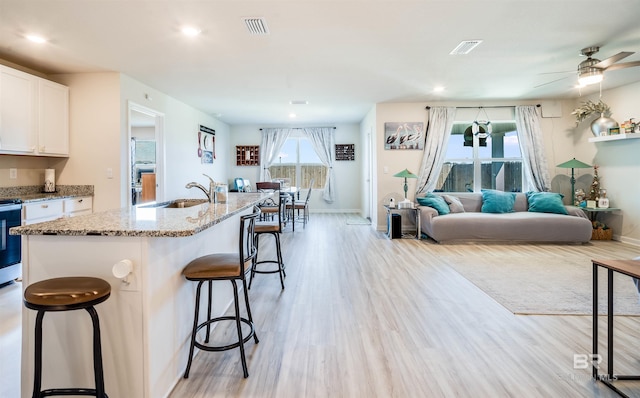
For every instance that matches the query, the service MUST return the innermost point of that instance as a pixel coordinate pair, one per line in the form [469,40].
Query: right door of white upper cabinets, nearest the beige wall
[53,120]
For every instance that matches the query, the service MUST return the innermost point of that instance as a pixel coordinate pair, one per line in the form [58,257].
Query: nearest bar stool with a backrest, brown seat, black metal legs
[231,267]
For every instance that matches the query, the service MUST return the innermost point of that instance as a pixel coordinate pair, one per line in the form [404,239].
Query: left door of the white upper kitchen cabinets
[18,91]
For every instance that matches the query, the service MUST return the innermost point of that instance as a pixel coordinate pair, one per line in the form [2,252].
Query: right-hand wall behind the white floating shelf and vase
[619,162]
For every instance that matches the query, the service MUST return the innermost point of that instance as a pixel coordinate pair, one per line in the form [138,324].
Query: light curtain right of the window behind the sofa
[532,147]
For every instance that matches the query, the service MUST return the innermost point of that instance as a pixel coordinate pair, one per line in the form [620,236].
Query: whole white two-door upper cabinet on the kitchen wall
[34,115]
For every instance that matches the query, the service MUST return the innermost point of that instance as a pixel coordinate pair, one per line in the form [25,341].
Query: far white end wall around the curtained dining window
[348,173]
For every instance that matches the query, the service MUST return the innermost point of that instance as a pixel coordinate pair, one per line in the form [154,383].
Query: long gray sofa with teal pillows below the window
[520,225]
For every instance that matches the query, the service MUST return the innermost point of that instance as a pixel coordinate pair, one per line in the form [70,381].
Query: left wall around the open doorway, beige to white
[99,138]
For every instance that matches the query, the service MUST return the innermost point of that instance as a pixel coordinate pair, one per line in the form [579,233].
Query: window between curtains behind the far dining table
[298,164]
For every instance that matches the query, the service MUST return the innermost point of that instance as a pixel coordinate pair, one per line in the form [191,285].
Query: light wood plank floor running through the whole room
[362,315]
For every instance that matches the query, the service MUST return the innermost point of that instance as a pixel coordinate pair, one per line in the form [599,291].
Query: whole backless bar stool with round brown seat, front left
[68,294]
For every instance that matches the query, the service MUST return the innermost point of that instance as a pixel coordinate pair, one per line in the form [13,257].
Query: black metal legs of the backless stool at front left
[97,363]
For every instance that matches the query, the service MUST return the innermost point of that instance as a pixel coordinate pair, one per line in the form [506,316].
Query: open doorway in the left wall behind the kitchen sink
[146,160]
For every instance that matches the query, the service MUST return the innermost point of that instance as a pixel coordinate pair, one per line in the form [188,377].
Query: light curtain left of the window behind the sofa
[438,132]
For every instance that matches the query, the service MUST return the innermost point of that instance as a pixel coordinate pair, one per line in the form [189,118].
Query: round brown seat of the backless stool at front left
[64,294]
